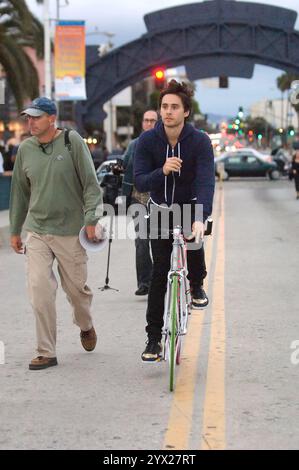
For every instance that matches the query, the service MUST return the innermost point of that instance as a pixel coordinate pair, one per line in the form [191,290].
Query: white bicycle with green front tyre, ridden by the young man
[177,302]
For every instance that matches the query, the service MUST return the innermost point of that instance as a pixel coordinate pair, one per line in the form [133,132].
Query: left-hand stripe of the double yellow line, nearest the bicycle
[181,412]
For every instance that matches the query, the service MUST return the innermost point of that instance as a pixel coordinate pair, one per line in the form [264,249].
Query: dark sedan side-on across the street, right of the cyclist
[246,162]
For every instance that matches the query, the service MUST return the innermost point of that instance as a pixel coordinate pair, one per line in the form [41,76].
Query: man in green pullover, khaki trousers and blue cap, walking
[54,193]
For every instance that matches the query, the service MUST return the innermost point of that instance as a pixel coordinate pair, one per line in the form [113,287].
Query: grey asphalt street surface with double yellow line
[236,387]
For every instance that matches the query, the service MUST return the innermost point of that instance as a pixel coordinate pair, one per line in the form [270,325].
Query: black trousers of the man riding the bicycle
[161,251]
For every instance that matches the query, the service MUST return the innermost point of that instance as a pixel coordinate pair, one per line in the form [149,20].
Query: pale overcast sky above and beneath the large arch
[125,19]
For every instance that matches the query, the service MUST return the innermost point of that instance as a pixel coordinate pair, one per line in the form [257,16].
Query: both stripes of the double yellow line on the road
[180,422]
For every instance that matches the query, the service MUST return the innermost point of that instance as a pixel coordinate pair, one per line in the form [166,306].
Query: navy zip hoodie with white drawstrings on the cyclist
[196,180]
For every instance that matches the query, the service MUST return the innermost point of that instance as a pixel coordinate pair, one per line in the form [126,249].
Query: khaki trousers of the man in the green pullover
[41,251]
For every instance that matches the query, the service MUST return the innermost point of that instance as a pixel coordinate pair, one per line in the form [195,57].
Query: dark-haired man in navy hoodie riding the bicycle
[175,162]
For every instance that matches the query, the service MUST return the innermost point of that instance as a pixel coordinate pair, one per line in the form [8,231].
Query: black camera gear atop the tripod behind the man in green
[110,176]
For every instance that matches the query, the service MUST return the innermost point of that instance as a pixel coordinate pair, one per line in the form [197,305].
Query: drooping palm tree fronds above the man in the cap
[19,29]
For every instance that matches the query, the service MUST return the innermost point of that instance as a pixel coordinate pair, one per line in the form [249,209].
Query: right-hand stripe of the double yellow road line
[213,428]
